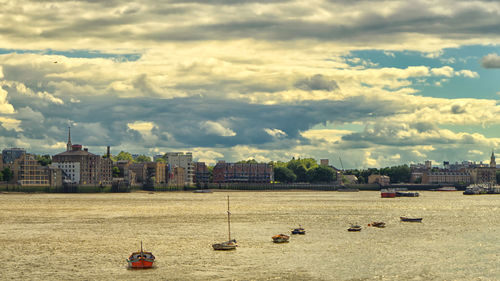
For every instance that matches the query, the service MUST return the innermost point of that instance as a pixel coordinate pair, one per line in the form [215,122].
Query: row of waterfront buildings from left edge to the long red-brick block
[78,166]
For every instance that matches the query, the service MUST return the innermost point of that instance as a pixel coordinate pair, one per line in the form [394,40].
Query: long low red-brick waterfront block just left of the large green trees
[242,173]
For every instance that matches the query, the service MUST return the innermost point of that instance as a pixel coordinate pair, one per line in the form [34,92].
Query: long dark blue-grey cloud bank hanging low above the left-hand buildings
[102,121]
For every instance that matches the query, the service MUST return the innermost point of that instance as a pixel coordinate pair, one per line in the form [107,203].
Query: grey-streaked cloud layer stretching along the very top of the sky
[231,19]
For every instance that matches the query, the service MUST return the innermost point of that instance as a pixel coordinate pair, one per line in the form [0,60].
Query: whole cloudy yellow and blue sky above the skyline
[374,83]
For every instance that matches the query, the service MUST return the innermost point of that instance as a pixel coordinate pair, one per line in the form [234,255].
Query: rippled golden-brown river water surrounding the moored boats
[89,236]
